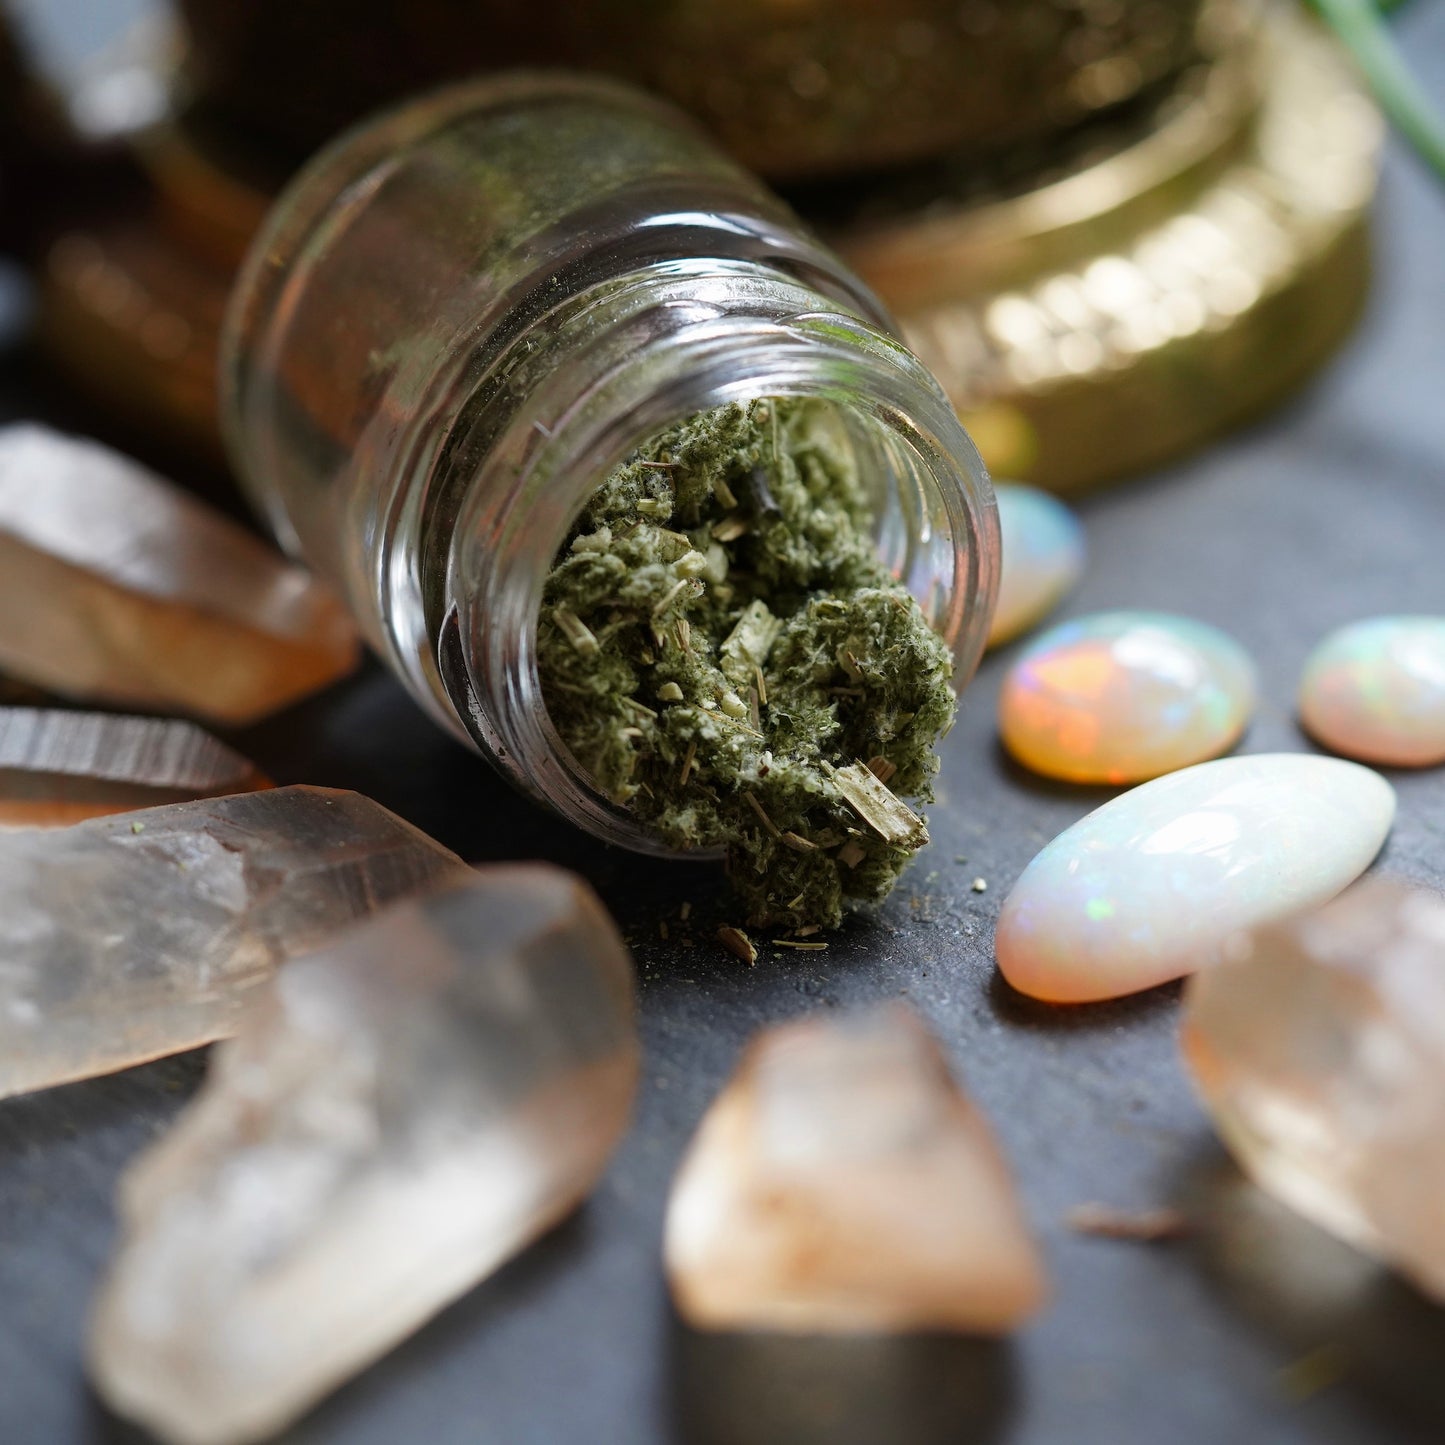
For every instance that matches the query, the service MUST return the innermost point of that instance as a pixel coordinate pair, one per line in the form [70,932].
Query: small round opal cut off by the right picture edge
[1376,691]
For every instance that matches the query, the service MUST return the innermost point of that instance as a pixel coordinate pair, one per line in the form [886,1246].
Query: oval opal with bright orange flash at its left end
[1125,697]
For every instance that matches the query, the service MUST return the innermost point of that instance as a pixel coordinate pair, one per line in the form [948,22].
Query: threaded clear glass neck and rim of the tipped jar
[658,348]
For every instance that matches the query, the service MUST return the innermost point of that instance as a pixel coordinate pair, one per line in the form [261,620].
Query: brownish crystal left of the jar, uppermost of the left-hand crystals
[116,586]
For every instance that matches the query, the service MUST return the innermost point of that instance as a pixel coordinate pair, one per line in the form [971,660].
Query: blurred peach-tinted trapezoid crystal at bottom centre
[842,1183]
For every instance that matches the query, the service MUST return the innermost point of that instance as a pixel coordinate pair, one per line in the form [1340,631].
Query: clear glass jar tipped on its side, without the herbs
[463,316]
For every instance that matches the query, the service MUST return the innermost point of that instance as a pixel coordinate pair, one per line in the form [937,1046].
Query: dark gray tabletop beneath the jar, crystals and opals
[1259,1330]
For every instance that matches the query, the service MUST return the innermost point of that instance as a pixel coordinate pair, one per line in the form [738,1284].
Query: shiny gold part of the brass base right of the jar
[1148,301]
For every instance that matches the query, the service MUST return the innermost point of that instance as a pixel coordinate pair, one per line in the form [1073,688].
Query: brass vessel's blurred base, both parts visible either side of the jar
[1095,306]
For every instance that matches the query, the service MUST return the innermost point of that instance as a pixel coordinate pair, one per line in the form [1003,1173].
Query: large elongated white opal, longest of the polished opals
[1158,882]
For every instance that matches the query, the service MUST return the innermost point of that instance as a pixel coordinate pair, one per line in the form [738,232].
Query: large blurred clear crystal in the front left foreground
[400,1115]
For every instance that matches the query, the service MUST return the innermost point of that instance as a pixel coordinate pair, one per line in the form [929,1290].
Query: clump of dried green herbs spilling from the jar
[726,655]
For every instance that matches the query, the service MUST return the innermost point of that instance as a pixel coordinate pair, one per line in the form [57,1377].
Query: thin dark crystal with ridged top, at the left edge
[60,768]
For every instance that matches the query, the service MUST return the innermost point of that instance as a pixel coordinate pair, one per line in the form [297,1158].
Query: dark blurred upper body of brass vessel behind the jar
[793,87]
